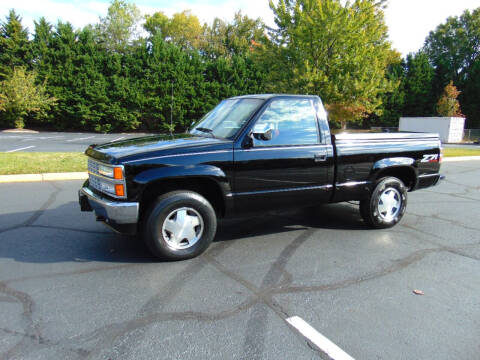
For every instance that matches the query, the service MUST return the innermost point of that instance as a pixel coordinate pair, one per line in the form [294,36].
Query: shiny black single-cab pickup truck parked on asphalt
[251,154]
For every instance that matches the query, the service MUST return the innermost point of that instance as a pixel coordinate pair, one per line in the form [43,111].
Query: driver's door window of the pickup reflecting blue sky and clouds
[291,122]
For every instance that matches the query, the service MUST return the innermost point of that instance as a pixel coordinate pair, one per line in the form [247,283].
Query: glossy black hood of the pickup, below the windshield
[156,145]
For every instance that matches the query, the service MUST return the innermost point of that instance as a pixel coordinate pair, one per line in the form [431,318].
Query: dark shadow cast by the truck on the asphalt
[65,234]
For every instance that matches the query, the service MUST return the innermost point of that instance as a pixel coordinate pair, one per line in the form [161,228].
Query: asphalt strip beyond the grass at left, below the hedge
[56,141]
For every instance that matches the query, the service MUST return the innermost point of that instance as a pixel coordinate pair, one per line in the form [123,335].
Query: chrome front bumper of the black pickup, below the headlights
[116,211]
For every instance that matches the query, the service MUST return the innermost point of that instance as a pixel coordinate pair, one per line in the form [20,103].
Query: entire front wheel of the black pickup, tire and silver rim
[179,225]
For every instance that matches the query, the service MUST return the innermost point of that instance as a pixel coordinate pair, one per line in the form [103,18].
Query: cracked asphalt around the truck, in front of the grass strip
[71,289]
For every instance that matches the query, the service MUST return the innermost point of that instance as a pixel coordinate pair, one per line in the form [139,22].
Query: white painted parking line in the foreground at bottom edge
[325,345]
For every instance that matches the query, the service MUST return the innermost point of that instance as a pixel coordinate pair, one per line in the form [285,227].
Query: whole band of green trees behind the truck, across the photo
[116,76]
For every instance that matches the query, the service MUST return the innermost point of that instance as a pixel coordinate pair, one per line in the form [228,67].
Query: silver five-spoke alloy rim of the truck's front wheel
[182,228]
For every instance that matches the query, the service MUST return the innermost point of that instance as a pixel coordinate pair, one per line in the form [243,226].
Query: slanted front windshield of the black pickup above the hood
[227,118]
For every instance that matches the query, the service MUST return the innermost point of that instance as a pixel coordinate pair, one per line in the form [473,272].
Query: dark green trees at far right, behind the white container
[451,53]
